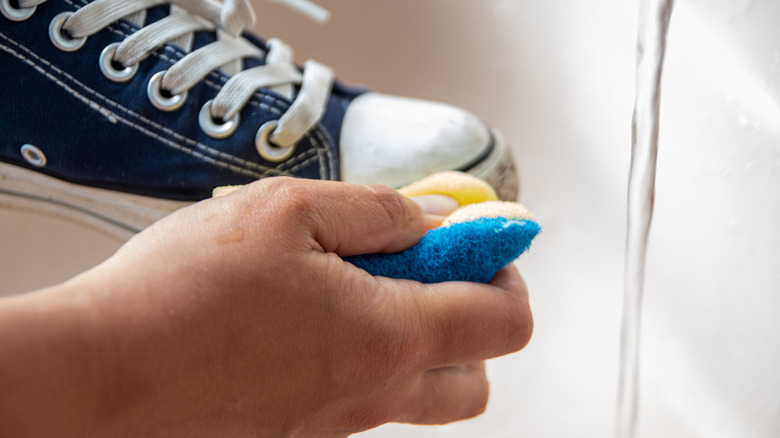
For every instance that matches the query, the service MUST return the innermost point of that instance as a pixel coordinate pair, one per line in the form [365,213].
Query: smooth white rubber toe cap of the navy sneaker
[394,140]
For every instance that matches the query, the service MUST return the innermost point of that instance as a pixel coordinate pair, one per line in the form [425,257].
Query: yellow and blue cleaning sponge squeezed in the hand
[473,243]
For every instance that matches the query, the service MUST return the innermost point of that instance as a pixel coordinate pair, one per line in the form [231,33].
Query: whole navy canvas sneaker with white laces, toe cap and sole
[117,112]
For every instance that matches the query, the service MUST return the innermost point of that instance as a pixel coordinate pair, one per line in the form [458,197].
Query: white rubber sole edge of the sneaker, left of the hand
[118,214]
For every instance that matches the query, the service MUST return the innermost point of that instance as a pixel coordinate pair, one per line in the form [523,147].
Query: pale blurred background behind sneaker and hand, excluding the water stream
[556,77]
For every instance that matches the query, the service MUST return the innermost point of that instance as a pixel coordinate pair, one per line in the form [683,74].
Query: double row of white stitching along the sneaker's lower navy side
[266,171]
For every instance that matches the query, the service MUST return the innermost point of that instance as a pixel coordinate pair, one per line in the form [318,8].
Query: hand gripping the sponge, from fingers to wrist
[238,317]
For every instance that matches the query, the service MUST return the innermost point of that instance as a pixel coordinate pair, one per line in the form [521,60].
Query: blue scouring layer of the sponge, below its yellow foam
[463,251]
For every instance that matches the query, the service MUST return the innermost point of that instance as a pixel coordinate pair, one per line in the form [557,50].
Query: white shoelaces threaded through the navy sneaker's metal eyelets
[228,18]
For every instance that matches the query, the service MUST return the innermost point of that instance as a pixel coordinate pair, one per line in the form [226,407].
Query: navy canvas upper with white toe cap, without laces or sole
[97,132]
